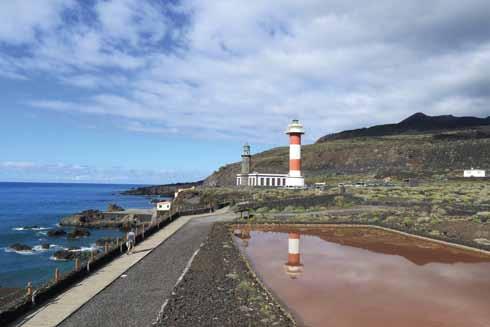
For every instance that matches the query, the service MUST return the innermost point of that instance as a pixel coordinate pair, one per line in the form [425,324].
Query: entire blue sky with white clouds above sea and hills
[134,91]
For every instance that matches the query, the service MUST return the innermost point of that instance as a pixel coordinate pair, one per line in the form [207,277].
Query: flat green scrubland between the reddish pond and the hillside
[455,211]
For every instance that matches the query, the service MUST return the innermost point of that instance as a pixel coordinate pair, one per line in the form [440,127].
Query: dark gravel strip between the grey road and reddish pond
[220,290]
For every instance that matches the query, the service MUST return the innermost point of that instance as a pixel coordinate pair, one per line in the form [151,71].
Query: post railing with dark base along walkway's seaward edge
[17,302]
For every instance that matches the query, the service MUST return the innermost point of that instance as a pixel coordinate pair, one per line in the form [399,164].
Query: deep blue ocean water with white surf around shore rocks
[42,205]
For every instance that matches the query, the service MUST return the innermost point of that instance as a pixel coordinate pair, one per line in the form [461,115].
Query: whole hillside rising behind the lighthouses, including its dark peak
[429,151]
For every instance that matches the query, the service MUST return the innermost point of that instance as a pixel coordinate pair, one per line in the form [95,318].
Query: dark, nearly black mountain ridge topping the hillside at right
[417,123]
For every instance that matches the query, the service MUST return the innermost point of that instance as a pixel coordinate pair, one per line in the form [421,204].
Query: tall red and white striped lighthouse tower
[295,179]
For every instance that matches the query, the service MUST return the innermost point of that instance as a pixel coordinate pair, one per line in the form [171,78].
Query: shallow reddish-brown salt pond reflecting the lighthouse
[367,277]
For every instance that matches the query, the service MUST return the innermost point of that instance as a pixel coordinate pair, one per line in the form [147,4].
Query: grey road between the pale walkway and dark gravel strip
[136,299]
